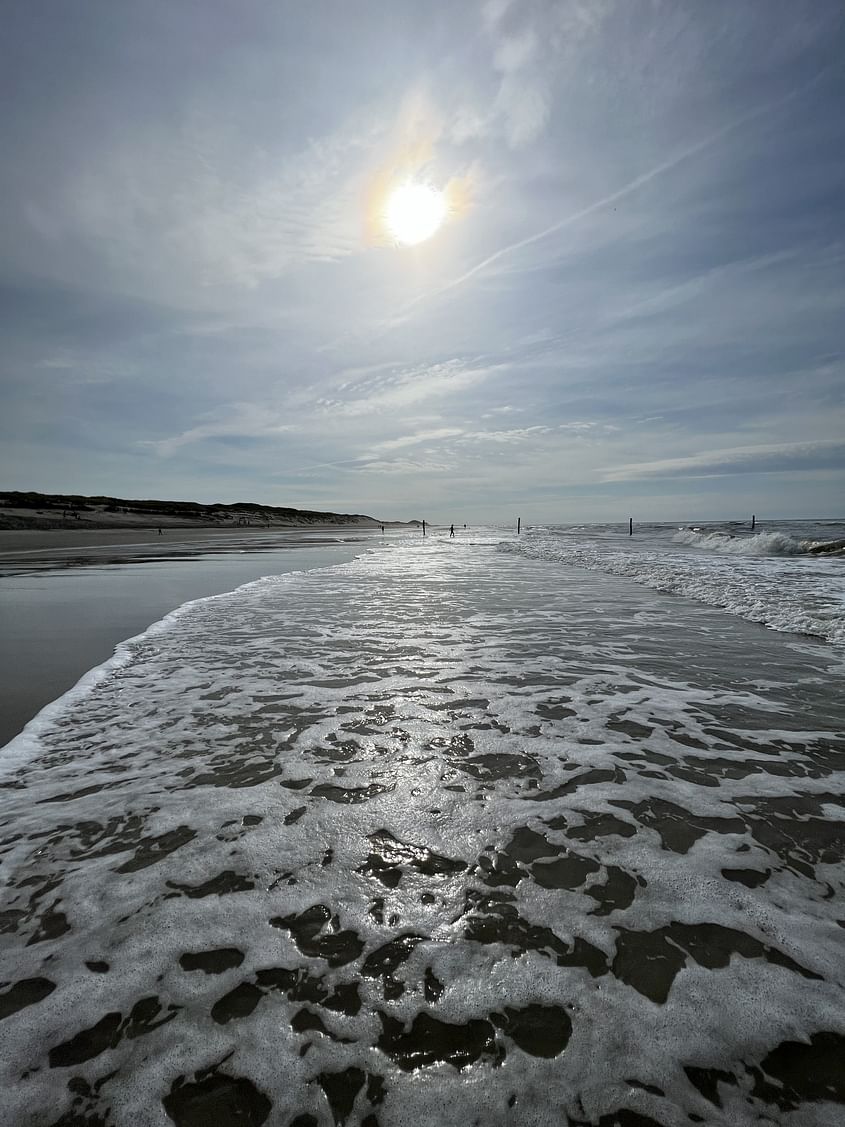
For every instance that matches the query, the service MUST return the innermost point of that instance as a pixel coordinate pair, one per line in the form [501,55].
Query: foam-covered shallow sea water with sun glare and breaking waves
[487,831]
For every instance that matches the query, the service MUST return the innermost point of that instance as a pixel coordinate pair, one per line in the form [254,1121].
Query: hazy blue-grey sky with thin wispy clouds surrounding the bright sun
[635,306]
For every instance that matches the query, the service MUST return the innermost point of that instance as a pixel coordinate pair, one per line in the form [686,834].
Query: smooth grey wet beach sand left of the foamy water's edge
[65,609]
